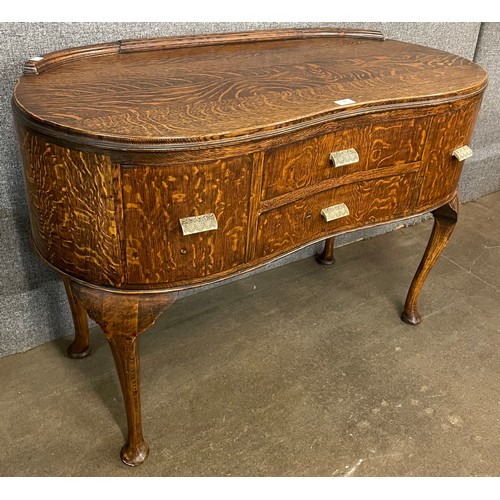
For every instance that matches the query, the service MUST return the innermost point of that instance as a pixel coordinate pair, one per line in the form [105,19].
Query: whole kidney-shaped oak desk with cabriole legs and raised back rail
[279,139]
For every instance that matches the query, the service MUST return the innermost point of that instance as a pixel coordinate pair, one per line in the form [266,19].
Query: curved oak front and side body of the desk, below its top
[125,222]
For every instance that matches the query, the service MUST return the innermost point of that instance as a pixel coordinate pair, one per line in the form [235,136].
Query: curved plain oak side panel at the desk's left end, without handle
[73,211]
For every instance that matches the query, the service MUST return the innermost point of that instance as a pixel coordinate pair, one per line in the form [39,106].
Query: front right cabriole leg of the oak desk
[445,219]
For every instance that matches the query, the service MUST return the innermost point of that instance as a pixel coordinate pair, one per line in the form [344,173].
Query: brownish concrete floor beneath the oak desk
[299,371]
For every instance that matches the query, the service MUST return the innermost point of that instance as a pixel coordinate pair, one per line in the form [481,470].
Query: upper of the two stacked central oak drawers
[295,166]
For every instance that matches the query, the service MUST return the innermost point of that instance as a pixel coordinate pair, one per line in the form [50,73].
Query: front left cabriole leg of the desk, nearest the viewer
[123,317]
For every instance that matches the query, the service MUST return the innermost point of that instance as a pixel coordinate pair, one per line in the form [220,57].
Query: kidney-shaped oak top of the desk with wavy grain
[209,92]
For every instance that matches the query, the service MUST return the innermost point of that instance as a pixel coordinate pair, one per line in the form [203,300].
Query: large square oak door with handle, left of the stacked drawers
[159,248]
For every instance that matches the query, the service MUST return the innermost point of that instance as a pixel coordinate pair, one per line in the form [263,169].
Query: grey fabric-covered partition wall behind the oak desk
[33,307]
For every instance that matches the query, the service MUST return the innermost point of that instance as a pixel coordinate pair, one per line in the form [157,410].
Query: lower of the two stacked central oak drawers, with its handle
[301,222]
